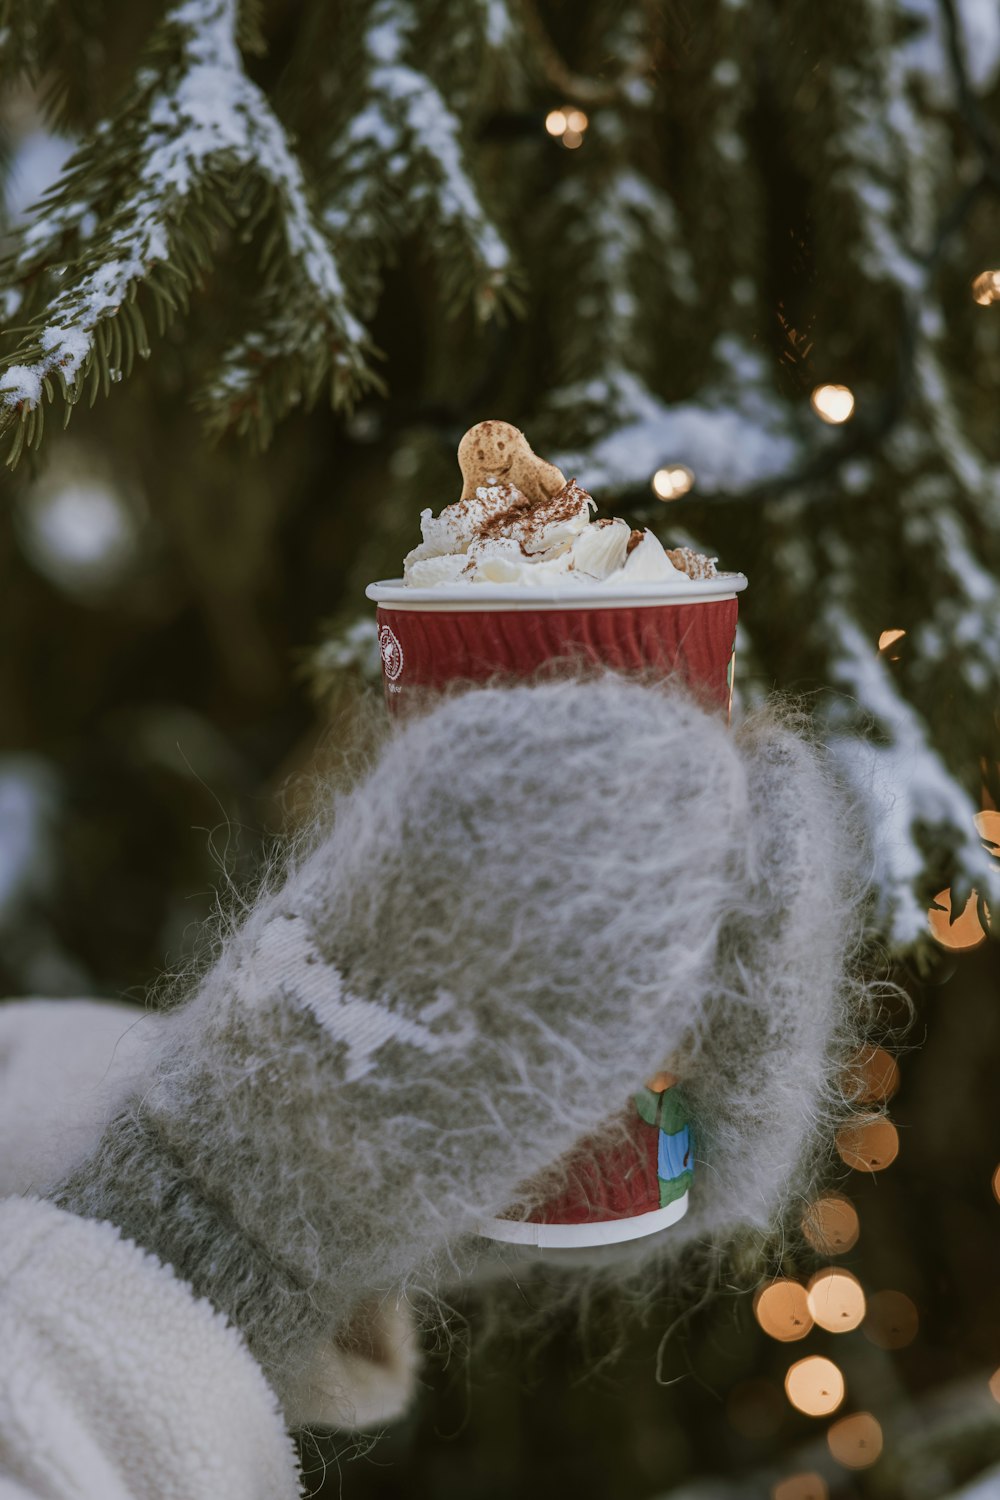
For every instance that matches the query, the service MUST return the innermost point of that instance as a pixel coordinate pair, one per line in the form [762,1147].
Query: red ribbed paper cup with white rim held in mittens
[633,1184]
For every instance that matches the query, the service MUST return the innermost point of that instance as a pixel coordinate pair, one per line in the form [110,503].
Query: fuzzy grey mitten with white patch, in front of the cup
[509,925]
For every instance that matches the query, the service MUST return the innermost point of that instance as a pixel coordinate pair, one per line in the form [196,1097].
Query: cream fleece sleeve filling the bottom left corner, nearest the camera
[116,1384]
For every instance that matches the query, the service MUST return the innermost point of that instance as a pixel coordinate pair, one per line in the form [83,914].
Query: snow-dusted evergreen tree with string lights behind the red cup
[645,233]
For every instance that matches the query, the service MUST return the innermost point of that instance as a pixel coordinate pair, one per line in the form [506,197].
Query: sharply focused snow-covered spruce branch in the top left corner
[143,181]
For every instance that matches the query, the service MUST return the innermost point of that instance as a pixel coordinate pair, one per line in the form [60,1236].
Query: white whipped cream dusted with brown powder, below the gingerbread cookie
[497,536]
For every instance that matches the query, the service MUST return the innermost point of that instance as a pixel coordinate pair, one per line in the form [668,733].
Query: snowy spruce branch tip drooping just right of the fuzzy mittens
[905,785]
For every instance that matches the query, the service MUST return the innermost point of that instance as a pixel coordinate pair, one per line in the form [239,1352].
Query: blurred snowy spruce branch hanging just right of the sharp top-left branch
[401,164]
